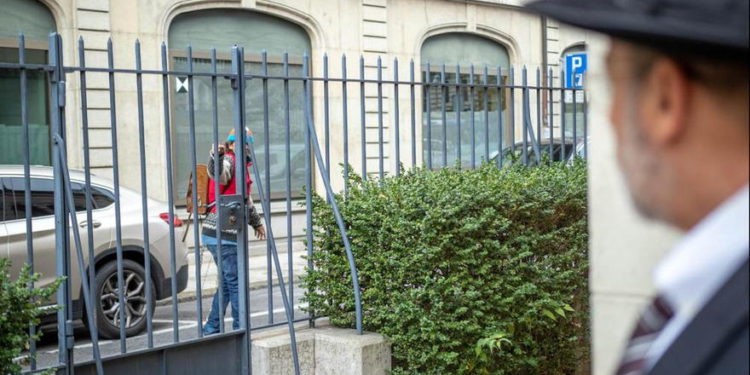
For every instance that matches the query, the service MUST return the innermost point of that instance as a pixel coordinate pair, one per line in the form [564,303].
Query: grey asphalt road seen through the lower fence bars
[163,332]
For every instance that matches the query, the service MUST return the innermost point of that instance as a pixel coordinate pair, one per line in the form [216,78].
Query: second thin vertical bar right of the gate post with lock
[288,152]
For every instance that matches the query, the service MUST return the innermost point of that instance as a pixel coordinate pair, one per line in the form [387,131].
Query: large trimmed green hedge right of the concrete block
[466,272]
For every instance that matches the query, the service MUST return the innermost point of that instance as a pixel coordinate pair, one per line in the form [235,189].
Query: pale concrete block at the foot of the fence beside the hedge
[322,351]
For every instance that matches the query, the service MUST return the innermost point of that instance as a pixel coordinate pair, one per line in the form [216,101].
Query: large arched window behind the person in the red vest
[221,29]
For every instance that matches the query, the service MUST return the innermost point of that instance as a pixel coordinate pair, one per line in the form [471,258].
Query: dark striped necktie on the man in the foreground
[652,321]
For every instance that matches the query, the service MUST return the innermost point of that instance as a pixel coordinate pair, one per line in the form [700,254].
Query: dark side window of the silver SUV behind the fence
[42,196]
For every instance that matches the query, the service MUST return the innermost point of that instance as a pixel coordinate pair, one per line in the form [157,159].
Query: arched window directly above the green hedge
[464,50]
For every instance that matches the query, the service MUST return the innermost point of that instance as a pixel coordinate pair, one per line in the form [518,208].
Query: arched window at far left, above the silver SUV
[35,21]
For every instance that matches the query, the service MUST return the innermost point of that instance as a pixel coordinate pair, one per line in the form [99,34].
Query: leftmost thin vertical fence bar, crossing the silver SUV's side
[27,184]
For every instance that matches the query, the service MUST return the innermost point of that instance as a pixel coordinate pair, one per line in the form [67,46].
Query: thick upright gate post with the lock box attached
[238,88]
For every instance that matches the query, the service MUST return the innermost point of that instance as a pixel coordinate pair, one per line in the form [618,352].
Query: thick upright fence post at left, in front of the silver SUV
[65,341]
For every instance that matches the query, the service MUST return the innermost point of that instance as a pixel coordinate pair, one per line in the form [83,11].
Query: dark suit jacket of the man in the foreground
[716,341]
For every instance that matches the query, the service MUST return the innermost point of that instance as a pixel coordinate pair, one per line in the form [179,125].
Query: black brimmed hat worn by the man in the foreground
[716,28]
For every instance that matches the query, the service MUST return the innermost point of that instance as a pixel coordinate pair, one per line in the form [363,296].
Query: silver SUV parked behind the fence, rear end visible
[13,244]
